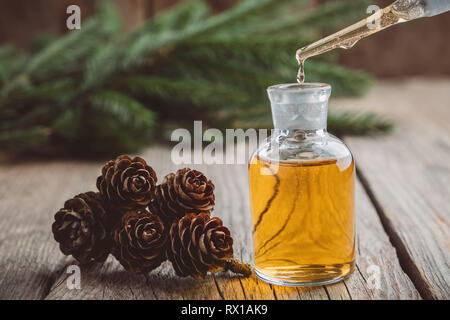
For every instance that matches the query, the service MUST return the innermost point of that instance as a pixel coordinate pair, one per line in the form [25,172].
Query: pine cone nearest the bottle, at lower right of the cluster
[199,244]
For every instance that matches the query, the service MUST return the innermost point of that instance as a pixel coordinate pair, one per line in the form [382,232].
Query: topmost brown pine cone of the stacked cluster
[127,183]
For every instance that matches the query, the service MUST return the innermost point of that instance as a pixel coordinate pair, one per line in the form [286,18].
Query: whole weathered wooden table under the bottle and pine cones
[402,204]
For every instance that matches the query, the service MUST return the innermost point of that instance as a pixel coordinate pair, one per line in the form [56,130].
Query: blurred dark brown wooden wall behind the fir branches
[420,47]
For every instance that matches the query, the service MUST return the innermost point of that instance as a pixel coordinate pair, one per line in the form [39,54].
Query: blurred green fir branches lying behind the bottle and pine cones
[100,91]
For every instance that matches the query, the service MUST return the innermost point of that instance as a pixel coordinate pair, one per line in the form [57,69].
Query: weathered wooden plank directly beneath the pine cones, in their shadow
[110,281]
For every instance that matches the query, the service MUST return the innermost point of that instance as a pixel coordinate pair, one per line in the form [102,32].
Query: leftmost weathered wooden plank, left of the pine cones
[30,194]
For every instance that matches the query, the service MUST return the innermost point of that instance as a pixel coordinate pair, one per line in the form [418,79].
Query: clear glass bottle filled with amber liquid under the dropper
[302,193]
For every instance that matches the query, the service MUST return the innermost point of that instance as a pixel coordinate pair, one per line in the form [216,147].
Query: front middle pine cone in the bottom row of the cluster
[139,241]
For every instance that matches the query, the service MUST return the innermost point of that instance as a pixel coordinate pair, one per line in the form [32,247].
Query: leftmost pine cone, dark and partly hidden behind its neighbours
[81,228]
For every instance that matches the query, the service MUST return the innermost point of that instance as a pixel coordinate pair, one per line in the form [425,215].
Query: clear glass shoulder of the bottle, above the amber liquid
[326,147]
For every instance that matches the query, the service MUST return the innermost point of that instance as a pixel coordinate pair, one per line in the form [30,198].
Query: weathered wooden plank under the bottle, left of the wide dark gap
[374,251]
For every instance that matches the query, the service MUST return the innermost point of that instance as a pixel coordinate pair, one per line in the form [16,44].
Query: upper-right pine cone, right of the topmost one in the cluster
[186,191]
